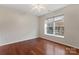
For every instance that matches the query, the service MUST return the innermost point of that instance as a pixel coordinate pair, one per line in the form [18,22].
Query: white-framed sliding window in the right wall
[55,26]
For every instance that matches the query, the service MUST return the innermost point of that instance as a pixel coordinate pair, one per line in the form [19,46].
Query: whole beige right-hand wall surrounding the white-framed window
[71,26]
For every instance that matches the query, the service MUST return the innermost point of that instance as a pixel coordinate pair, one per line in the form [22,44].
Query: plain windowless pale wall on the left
[16,27]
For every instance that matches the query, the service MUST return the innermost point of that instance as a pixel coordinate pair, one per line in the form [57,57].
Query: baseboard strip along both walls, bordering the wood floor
[34,37]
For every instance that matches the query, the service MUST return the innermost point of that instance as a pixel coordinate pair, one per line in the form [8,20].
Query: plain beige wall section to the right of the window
[72,25]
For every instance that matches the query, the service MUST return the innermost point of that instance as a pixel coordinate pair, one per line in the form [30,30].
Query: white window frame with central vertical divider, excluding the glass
[45,30]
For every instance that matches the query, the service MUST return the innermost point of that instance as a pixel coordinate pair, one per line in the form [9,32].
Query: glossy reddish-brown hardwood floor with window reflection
[38,46]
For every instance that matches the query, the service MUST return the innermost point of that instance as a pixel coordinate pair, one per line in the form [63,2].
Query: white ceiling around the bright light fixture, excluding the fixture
[24,8]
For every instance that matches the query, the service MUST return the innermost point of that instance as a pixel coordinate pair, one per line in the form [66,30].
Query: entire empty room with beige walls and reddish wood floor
[39,29]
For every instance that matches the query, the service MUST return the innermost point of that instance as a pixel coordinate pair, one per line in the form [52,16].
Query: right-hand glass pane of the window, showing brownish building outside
[59,27]
